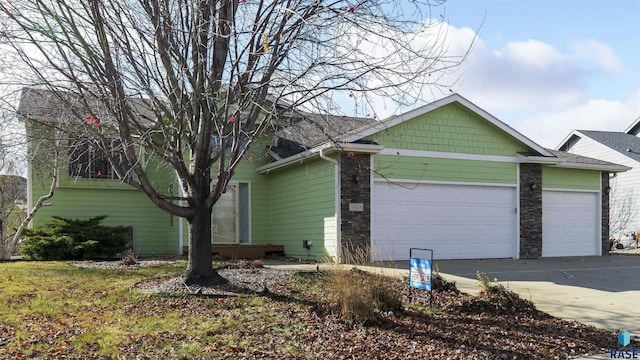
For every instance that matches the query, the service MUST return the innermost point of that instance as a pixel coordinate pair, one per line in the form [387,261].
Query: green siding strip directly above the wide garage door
[437,169]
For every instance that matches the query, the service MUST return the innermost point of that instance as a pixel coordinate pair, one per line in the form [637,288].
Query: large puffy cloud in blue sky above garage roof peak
[528,75]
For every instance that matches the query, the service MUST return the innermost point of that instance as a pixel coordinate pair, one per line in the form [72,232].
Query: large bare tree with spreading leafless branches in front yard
[214,75]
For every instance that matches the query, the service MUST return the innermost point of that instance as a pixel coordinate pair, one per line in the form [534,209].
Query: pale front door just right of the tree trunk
[224,222]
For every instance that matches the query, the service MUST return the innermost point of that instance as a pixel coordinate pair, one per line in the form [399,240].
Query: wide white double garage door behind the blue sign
[457,222]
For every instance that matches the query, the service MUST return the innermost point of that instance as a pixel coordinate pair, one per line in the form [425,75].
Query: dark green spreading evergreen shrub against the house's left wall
[67,239]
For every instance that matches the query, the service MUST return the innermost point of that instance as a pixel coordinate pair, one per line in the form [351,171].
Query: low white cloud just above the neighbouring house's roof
[550,128]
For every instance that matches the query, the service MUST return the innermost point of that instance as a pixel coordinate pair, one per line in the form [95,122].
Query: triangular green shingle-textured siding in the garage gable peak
[451,128]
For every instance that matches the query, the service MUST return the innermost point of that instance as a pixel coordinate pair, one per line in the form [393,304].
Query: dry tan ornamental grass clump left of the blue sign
[360,297]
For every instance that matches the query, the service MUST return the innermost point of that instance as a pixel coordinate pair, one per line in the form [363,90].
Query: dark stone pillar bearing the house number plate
[355,187]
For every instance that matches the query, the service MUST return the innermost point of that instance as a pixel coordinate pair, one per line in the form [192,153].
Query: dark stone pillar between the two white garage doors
[530,211]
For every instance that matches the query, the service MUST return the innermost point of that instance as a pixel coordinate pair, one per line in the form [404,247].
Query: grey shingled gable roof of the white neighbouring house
[624,143]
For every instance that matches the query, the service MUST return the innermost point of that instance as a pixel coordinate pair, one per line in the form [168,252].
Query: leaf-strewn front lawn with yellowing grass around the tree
[55,310]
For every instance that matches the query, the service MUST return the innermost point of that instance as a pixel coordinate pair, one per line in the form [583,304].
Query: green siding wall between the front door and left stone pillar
[302,207]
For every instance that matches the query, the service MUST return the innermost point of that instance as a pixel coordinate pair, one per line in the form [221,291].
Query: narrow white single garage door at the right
[570,224]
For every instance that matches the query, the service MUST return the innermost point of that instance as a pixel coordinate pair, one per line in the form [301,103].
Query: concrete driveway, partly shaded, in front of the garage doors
[603,291]
